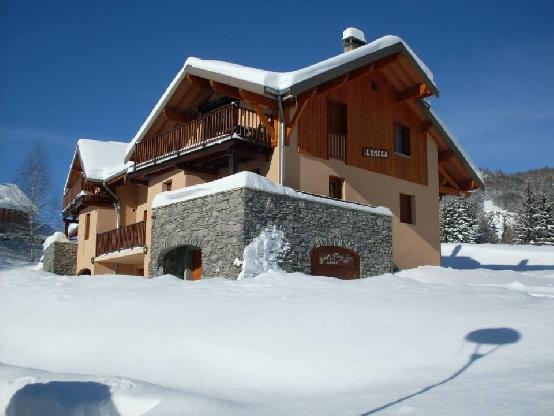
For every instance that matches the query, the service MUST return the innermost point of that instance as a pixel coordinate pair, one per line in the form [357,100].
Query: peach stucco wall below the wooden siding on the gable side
[413,244]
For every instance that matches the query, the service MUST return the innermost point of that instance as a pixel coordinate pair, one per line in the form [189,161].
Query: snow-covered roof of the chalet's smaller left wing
[101,160]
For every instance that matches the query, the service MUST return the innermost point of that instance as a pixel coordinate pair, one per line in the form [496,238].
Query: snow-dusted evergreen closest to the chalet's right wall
[458,221]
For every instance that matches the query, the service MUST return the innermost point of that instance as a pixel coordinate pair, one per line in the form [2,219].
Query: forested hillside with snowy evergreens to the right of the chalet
[513,208]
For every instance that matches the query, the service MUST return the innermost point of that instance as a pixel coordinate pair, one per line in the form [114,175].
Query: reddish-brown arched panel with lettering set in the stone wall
[335,262]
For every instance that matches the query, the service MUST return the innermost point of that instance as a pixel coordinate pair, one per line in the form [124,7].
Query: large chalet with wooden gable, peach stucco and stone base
[337,139]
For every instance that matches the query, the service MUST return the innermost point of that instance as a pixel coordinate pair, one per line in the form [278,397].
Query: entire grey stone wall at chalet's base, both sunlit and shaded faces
[222,224]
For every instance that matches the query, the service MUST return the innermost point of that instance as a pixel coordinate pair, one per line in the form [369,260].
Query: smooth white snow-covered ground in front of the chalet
[427,341]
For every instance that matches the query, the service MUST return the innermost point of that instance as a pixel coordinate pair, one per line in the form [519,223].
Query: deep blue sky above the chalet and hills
[95,69]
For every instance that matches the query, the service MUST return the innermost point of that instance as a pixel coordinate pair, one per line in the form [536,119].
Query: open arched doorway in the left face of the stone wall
[185,262]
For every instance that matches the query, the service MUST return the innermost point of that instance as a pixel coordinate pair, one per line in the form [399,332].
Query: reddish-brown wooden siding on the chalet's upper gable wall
[371,119]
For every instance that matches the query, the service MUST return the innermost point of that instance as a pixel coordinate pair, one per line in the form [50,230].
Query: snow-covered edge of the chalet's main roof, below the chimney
[293,82]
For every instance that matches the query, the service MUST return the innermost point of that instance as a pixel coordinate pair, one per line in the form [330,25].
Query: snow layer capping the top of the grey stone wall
[253,181]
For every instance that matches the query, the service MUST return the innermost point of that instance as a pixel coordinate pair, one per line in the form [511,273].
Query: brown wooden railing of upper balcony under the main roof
[225,121]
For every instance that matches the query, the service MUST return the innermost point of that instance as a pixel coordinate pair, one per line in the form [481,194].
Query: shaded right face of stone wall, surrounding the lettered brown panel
[310,224]
